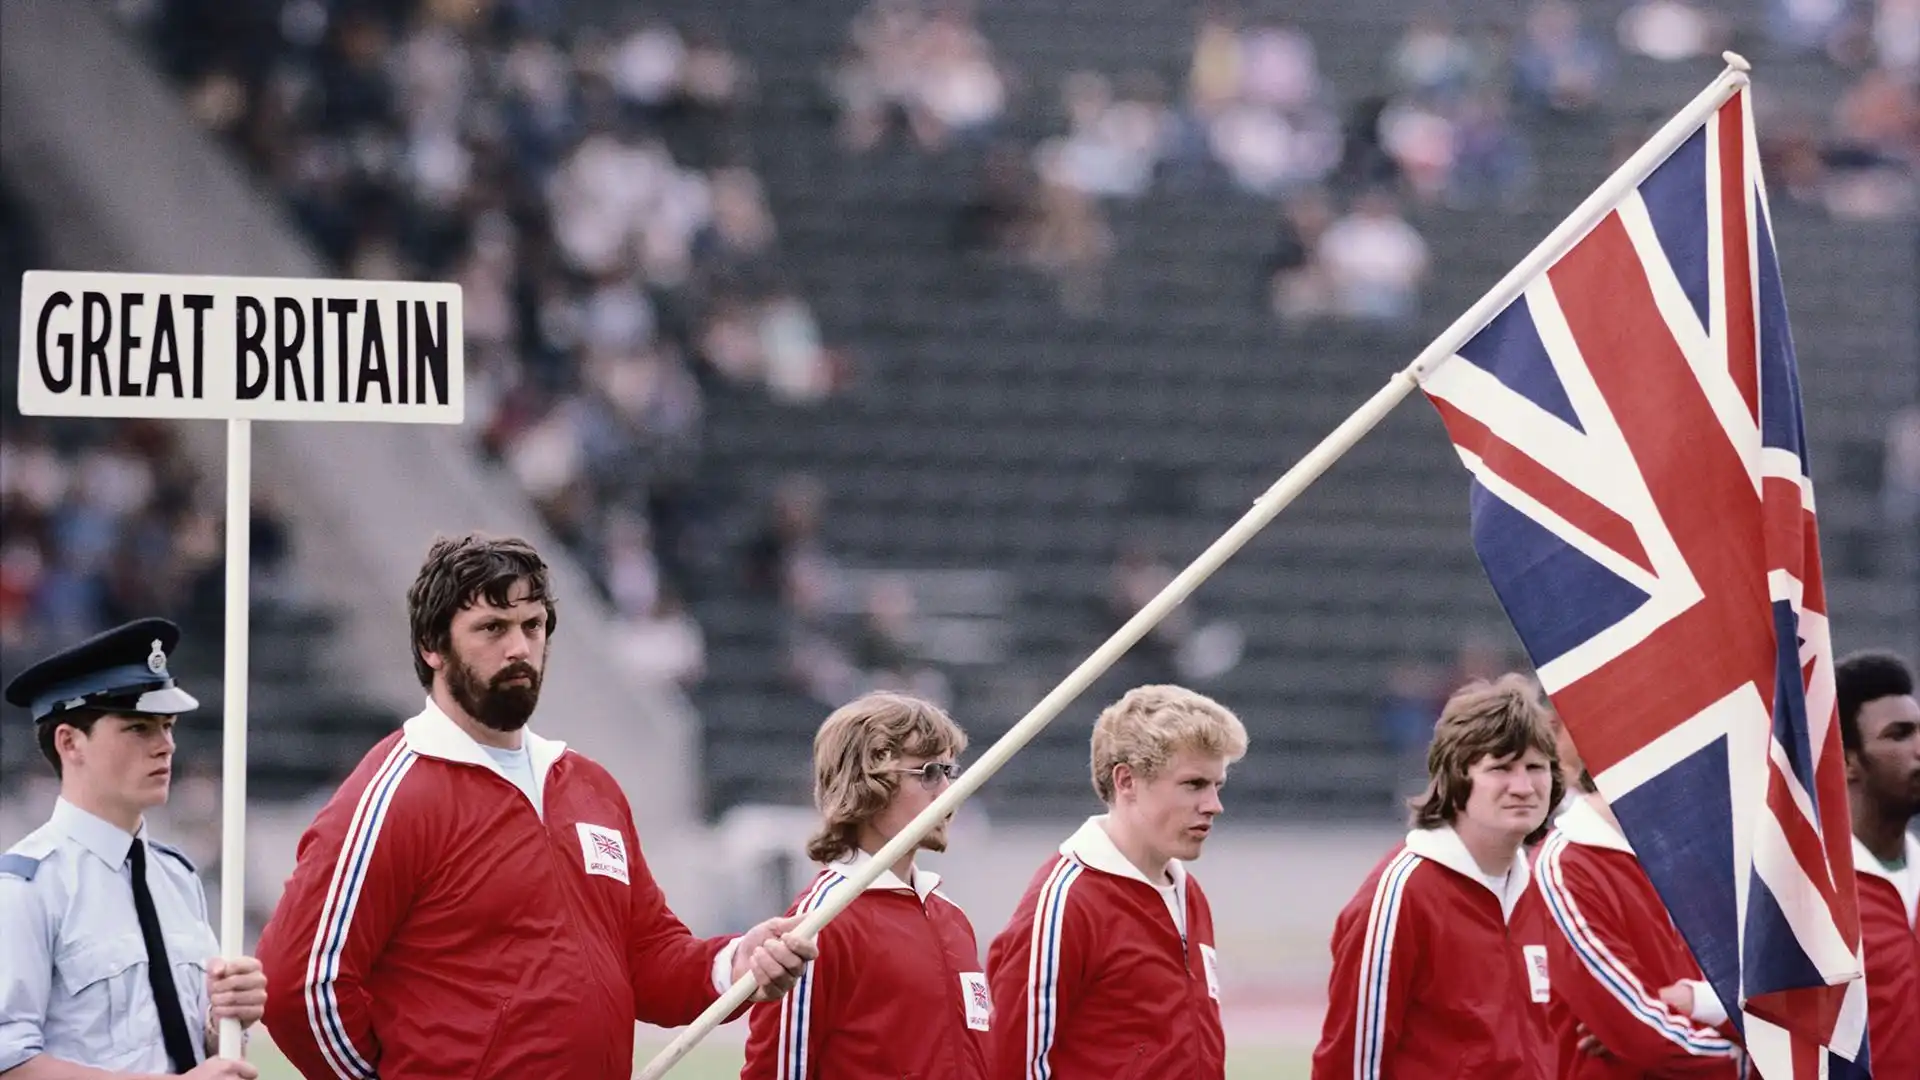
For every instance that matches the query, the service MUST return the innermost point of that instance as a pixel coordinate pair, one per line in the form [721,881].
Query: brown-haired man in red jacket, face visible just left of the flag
[1441,960]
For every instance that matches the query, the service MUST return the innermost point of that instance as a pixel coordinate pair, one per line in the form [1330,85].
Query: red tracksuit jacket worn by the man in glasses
[898,991]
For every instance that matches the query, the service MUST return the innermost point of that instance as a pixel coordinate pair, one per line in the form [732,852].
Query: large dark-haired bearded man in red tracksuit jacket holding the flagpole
[473,900]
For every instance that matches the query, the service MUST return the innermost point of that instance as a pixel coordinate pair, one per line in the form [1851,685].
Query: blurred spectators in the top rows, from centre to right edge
[1443,124]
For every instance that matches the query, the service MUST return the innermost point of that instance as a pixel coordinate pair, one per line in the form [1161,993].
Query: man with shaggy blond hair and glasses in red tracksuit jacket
[898,987]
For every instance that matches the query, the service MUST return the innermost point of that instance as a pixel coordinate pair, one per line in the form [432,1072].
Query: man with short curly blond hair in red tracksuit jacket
[1107,970]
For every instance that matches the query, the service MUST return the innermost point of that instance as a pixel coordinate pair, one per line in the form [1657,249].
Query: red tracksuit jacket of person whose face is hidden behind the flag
[1612,956]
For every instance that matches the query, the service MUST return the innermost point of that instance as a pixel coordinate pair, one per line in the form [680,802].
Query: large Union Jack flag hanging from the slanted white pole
[1643,506]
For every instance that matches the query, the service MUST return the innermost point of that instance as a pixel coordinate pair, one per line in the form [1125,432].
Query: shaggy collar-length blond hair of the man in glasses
[853,752]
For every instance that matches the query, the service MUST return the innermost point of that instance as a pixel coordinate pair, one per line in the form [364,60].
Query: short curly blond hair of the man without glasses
[1151,725]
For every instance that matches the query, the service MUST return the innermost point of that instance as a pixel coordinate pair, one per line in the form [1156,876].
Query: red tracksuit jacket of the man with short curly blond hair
[1095,981]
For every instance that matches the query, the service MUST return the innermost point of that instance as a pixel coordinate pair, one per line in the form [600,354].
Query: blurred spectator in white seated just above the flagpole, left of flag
[1376,260]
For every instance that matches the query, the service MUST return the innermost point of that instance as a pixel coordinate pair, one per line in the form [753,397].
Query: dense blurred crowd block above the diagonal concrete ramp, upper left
[590,191]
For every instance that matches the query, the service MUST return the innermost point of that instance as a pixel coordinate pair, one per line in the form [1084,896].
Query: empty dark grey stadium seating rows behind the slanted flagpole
[992,431]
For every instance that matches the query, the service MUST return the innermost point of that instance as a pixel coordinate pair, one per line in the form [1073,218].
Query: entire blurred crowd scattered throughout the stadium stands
[596,197]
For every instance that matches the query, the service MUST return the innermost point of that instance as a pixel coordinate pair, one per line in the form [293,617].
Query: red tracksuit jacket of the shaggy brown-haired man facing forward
[1435,975]
